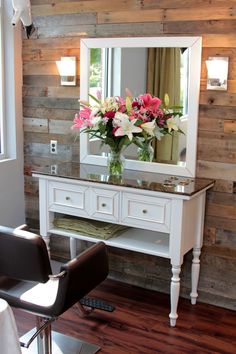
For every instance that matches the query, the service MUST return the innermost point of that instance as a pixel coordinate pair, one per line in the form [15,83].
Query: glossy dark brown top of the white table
[130,178]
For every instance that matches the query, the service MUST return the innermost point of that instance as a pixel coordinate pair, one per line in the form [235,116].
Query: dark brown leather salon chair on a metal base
[27,283]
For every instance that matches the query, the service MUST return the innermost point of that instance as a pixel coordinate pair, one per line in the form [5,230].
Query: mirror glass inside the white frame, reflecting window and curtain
[154,70]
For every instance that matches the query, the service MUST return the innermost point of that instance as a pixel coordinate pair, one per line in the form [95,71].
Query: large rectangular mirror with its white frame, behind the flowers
[155,65]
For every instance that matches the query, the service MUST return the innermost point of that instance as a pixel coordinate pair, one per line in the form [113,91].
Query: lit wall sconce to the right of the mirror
[217,73]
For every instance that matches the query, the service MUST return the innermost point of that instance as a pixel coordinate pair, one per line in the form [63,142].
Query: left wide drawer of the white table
[68,198]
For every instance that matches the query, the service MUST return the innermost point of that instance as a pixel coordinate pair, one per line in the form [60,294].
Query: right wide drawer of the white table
[147,212]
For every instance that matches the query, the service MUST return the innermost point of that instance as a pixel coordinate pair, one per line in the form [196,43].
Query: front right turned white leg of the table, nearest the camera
[174,294]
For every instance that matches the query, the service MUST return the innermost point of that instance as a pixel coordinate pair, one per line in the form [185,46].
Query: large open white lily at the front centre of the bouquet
[126,126]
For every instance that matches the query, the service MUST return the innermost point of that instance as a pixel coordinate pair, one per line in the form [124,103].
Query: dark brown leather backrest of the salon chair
[23,255]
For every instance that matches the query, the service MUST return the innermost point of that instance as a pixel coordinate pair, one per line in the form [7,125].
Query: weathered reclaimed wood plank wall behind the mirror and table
[49,109]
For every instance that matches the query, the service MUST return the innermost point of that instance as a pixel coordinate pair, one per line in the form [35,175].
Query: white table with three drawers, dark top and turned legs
[165,214]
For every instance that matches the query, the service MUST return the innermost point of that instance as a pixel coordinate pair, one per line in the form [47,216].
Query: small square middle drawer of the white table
[104,204]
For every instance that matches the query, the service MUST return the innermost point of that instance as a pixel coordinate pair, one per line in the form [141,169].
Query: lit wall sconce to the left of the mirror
[67,70]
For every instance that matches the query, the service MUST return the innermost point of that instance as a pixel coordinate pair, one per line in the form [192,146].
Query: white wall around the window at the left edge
[12,206]
